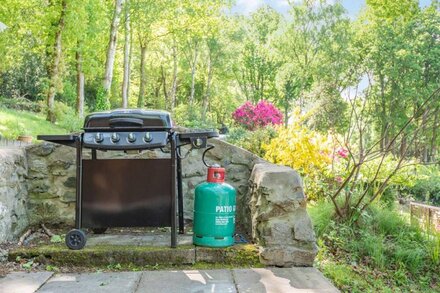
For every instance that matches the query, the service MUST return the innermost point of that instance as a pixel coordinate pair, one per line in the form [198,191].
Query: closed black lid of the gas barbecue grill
[128,118]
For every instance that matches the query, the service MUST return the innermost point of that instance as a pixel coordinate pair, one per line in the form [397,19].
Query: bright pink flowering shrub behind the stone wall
[260,115]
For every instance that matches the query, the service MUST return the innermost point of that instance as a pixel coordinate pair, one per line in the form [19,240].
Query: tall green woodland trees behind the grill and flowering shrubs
[199,61]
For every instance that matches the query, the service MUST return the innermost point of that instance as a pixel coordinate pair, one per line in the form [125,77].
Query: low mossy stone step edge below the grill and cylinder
[242,255]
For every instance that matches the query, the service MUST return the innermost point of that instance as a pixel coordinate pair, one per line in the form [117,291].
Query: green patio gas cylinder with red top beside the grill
[214,211]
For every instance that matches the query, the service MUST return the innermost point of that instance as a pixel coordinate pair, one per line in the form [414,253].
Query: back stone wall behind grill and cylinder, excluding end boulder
[52,178]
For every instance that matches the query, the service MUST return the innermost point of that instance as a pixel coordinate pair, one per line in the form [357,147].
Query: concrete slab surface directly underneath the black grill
[156,239]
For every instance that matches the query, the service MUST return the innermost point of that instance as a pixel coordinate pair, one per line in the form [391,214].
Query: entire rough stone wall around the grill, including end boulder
[271,206]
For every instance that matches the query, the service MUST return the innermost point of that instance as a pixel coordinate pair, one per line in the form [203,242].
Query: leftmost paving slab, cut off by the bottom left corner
[23,282]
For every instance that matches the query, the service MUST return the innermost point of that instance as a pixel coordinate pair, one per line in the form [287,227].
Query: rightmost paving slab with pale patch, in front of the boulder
[281,280]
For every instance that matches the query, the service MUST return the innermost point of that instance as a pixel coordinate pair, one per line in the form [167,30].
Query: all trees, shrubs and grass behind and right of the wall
[351,103]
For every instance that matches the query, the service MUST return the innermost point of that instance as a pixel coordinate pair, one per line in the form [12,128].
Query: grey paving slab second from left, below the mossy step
[96,282]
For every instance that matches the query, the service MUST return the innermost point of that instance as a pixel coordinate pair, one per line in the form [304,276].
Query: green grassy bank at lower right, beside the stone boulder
[383,252]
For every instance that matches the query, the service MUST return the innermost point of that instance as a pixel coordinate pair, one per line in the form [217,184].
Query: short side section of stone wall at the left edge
[13,194]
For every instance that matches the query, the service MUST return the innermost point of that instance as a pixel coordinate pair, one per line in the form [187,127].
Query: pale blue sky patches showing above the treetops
[248,6]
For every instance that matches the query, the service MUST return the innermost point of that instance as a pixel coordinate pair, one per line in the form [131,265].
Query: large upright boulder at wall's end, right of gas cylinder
[280,223]
